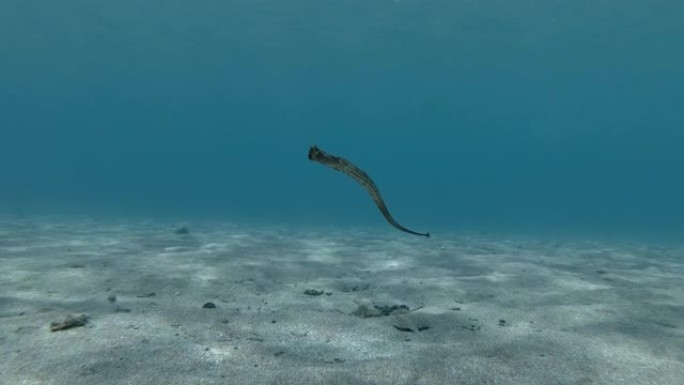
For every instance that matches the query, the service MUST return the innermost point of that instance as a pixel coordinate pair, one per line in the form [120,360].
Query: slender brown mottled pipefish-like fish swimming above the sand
[345,166]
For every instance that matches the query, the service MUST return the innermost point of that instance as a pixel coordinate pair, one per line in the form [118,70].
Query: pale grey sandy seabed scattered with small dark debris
[575,312]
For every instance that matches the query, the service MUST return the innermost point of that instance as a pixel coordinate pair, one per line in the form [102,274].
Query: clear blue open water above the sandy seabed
[468,114]
